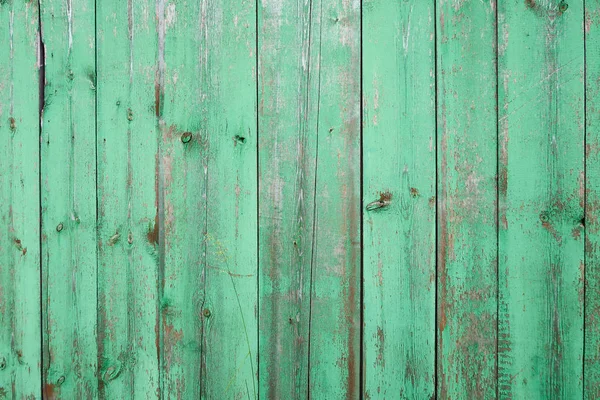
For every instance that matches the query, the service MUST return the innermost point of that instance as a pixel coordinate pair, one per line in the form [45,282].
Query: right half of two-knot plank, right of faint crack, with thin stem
[230,334]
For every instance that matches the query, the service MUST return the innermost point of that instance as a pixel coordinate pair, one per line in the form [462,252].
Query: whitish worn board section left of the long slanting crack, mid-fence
[289,61]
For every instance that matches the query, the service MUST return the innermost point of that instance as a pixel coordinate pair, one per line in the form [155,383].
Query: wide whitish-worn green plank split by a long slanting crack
[309,151]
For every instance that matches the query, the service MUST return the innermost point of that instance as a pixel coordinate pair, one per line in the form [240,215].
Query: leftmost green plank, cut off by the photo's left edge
[20,330]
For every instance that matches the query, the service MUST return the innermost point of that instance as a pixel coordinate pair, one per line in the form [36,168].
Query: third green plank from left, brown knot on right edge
[127,145]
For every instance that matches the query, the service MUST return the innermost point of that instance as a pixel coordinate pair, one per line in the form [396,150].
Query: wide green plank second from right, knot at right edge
[541,163]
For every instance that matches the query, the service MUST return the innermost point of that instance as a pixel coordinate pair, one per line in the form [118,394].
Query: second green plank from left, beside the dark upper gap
[69,200]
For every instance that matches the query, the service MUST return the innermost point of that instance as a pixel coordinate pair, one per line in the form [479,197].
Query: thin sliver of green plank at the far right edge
[591,377]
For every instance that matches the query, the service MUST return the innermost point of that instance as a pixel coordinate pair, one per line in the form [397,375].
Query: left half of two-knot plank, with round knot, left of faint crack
[183,165]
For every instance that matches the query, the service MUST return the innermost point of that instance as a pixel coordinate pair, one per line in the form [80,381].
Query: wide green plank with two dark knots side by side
[208,170]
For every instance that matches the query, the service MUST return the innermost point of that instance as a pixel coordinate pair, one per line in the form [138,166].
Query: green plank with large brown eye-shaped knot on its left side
[399,170]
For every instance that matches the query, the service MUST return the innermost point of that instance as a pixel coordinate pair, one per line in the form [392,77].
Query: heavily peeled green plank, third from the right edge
[467,228]
